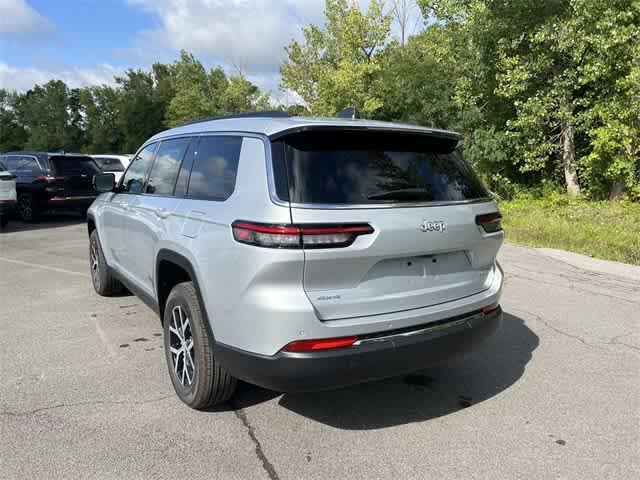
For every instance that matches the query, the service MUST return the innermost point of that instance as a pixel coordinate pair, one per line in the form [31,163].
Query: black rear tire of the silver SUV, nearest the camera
[209,384]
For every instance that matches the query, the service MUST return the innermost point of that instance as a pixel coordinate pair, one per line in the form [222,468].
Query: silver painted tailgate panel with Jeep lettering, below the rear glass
[399,266]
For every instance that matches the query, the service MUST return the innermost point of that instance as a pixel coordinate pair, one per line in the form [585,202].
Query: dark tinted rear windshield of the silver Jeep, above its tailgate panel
[364,167]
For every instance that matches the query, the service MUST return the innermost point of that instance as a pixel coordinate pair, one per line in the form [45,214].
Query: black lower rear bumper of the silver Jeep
[378,357]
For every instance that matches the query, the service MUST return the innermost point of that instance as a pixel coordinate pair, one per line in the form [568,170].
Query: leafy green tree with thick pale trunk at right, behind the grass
[556,70]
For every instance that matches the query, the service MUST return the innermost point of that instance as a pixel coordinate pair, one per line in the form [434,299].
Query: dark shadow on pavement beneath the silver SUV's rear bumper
[430,393]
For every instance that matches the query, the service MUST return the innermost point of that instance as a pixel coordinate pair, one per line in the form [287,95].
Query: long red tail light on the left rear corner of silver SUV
[298,236]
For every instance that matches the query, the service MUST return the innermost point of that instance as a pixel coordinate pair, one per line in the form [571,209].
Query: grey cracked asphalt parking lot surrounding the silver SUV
[85,392]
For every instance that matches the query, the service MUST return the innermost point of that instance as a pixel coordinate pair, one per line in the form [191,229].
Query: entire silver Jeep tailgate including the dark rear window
[422,201]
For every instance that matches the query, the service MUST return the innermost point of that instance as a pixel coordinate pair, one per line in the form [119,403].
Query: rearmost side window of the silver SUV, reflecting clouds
[213,176]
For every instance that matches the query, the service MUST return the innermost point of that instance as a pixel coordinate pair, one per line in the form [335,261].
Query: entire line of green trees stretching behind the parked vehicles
[545,92]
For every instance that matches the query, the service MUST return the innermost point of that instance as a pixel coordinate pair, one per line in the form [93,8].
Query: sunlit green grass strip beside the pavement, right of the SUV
[608,230]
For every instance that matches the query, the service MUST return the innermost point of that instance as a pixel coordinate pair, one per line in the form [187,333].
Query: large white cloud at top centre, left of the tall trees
[248,33]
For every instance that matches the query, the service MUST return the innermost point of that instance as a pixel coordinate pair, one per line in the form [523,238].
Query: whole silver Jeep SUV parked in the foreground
[300,254]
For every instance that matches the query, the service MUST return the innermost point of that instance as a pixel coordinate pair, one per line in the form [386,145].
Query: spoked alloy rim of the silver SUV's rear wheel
[181,346]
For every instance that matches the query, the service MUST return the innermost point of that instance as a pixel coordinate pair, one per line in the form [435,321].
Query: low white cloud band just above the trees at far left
[23,78]
